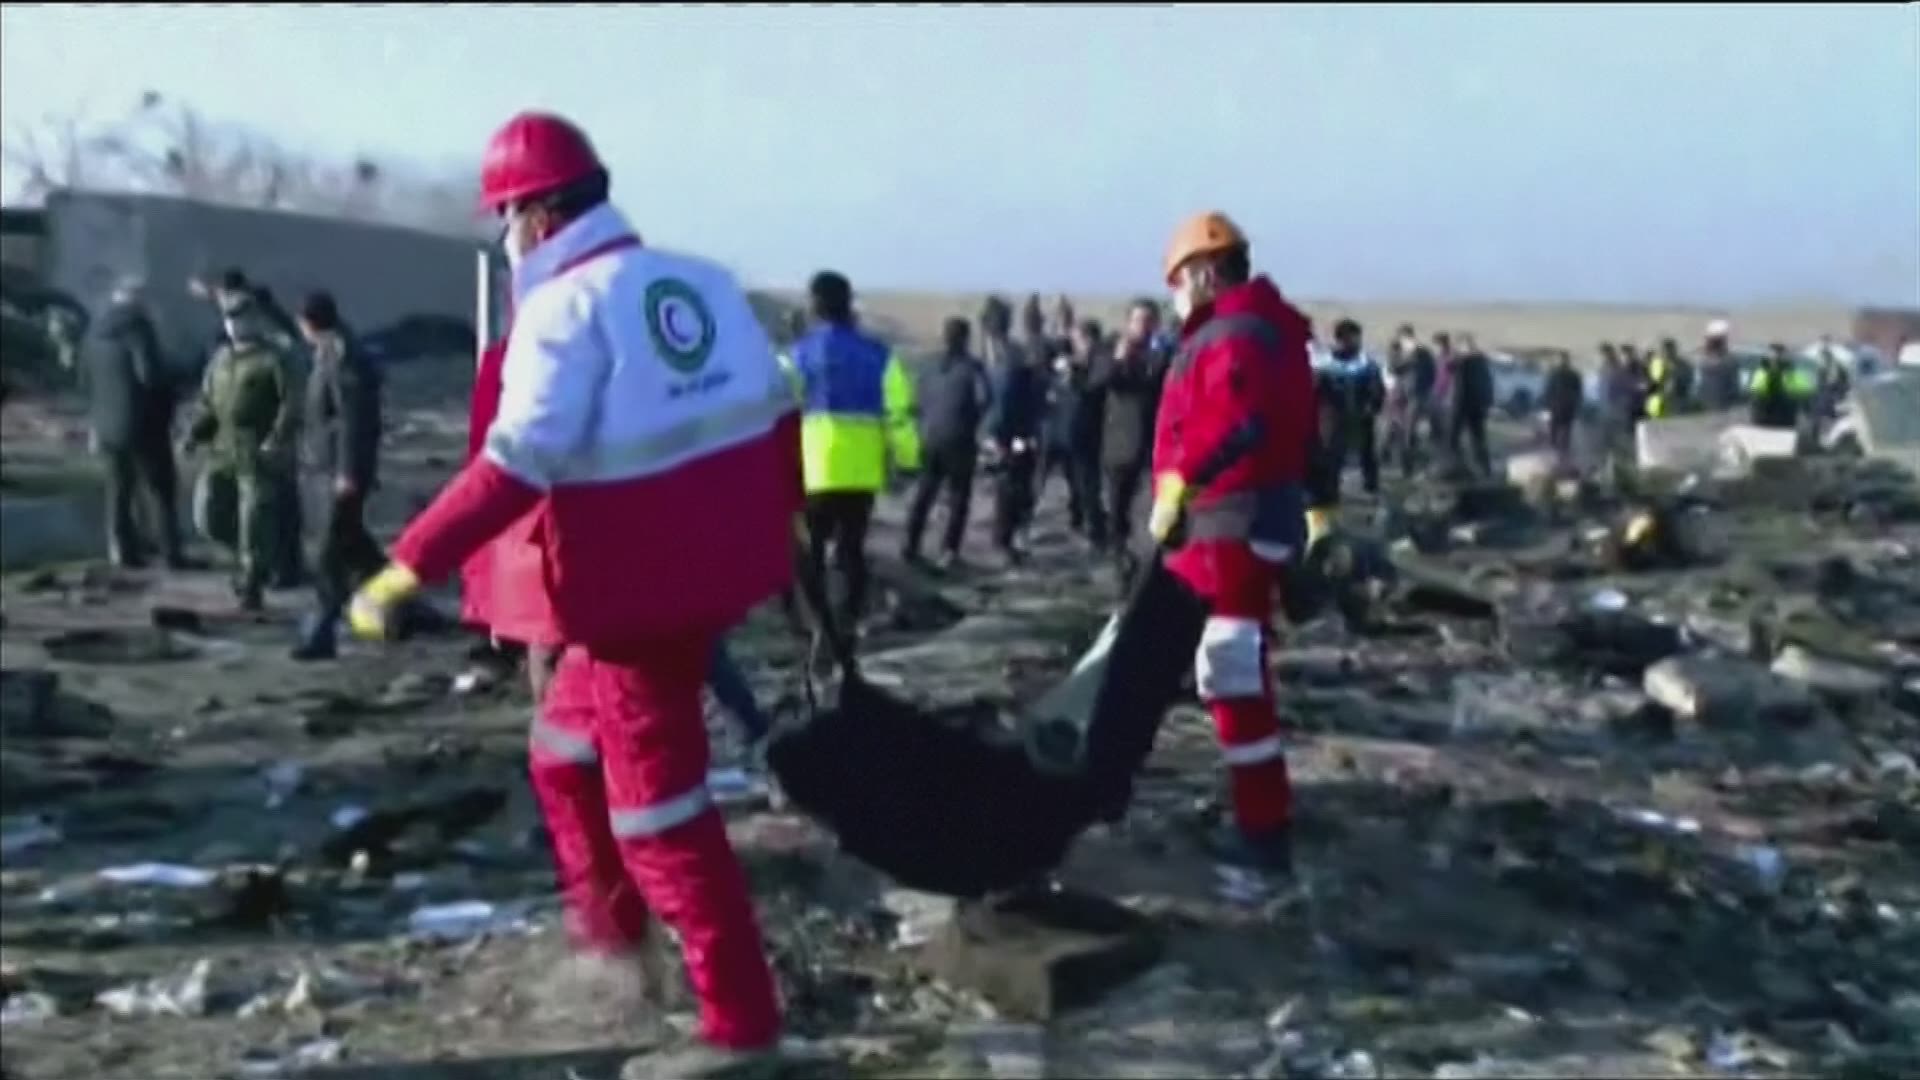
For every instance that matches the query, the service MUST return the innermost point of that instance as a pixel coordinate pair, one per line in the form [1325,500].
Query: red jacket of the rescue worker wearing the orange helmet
[1243,360]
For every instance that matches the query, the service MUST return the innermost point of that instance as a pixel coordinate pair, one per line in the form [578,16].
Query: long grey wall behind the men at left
[375,272]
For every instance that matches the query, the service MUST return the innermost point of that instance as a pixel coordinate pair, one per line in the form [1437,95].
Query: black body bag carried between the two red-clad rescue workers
[957,804]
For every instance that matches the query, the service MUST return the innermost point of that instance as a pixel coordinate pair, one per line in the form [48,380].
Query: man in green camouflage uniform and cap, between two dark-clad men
[249,406]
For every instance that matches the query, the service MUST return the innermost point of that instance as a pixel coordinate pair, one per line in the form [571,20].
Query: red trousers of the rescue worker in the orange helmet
[1234,677]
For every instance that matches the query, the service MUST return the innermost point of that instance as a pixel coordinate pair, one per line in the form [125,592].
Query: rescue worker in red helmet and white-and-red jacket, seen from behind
[636,389]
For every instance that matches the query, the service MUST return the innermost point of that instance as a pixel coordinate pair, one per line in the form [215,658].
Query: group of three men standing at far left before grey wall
[287,412]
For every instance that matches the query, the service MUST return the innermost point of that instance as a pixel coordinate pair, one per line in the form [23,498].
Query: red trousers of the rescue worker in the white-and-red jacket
[619,758]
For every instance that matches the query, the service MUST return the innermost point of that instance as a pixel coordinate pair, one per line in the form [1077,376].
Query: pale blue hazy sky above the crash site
[1712,155]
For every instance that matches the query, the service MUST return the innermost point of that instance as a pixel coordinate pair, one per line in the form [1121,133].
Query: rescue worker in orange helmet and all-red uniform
[1241,372]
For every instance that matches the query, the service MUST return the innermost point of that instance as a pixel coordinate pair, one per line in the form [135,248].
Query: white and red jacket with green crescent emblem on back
[648,435]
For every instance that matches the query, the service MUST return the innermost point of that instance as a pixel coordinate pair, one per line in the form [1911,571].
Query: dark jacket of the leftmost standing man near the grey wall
[128,381]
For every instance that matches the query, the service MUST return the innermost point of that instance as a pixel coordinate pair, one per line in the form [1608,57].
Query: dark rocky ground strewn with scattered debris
[1558,818]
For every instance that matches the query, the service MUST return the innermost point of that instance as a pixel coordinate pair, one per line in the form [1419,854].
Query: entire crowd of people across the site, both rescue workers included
[646,468]
